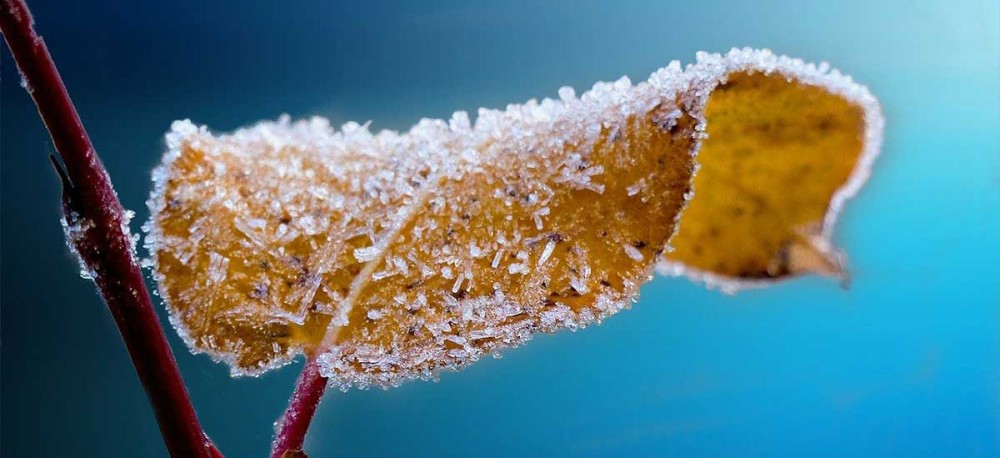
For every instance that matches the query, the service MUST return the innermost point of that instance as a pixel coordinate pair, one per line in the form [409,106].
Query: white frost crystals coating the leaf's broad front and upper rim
[491,316]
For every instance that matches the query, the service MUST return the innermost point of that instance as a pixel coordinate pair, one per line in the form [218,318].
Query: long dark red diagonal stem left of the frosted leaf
[104,243]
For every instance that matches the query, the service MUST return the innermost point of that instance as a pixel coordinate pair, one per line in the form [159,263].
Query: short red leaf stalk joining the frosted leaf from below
[290,430]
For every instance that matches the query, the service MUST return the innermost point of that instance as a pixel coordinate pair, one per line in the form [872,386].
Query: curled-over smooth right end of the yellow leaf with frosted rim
[785,149]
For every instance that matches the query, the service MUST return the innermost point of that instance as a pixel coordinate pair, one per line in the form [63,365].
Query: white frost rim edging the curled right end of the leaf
[713,69]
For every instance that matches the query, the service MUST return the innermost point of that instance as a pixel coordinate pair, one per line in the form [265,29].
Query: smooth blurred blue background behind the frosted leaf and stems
[904,363]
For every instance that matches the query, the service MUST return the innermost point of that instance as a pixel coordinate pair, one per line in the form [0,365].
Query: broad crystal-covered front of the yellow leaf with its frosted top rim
[390,256]
